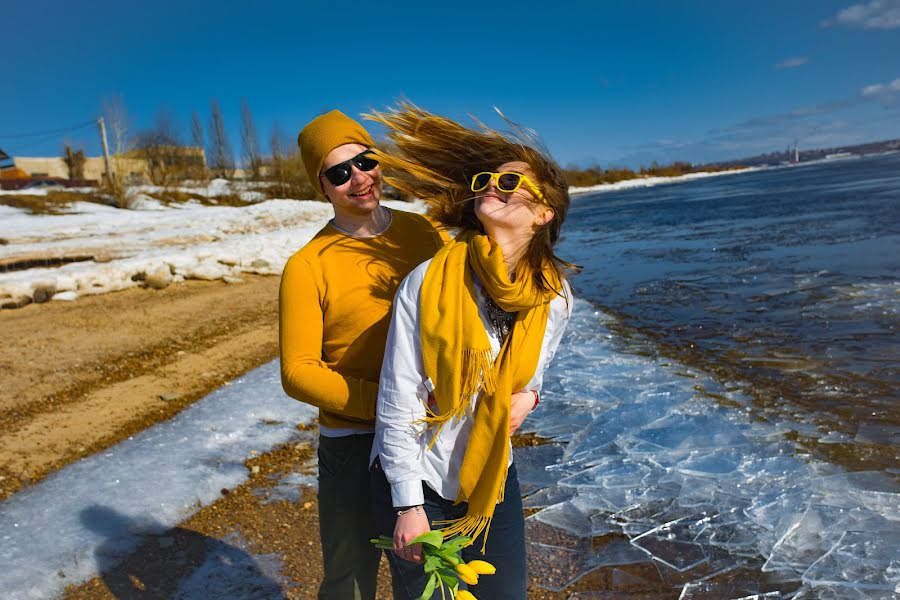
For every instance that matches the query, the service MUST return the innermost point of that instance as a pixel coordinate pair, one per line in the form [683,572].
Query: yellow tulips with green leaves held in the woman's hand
[444,565]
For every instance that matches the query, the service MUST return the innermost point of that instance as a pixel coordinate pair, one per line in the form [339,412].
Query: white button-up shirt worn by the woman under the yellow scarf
[405,456]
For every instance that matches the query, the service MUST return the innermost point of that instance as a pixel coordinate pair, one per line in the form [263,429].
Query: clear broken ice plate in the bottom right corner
[860,559]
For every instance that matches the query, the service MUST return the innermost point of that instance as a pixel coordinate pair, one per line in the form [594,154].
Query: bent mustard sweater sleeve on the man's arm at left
[304,375]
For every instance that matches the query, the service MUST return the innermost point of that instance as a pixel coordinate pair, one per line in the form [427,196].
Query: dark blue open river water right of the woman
[784,281]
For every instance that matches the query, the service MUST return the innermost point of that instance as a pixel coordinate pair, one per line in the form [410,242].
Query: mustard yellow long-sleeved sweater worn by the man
[334,312]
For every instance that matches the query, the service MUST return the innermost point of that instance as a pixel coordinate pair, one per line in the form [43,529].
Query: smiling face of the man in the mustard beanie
[359,196]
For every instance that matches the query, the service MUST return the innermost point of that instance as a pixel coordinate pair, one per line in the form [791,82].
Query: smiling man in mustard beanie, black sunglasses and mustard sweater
[335,305]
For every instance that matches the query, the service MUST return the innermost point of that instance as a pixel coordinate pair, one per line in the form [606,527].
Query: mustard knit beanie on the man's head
[322,135]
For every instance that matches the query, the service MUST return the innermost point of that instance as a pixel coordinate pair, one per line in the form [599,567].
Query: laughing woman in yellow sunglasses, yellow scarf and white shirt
[473,330]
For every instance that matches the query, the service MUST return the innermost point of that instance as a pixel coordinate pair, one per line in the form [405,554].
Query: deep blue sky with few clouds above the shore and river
[602,82]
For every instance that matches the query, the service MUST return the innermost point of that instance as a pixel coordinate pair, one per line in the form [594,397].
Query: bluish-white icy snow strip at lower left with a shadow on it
[94,512]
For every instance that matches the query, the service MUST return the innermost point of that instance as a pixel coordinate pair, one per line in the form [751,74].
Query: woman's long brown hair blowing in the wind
[434,158]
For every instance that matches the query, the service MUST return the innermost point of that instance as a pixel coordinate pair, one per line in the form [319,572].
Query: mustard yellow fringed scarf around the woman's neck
[457,358]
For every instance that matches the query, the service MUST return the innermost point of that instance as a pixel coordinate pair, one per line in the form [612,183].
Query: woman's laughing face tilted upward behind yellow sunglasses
[516,212]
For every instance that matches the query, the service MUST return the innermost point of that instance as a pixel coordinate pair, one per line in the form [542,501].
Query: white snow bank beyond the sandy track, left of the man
[154,244]
